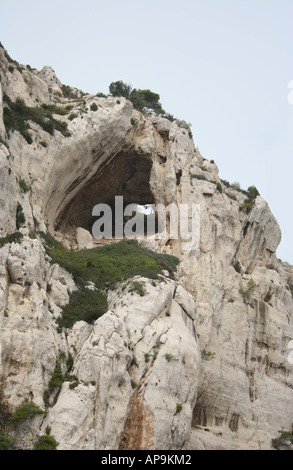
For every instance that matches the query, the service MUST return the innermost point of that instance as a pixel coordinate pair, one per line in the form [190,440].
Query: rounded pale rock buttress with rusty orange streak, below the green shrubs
[125,378]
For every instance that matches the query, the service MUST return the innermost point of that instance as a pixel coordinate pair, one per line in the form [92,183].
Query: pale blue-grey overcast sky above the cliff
[224,66]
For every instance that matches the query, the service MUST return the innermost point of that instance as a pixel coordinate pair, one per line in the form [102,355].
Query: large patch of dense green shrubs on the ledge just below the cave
[105,267]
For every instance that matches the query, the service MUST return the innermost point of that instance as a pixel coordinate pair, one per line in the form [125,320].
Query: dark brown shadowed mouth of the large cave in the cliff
[127,174]
